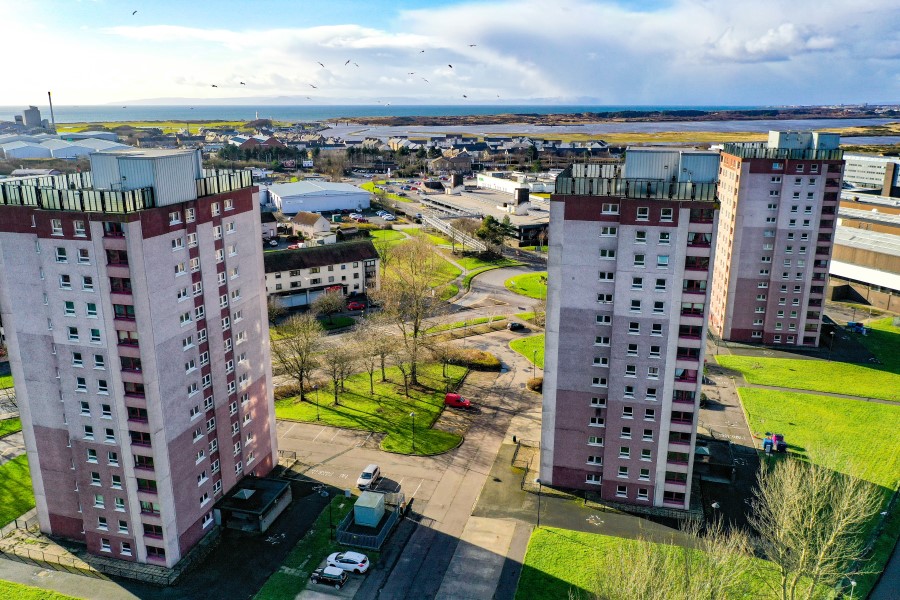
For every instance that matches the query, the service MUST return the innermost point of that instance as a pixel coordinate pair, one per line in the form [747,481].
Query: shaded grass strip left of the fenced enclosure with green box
[314,547]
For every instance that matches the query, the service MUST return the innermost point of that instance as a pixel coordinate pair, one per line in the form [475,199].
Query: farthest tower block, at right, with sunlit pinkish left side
[779,204]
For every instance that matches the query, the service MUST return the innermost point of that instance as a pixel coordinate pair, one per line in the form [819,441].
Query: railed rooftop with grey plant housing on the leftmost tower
[125,181]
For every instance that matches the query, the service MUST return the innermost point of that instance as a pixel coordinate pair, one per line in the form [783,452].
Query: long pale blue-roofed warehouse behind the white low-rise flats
[317,196]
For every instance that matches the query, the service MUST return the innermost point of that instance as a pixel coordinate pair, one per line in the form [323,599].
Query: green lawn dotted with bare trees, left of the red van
[388,410]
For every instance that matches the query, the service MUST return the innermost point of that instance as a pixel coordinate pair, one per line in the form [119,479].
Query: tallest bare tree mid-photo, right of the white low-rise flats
[409,298]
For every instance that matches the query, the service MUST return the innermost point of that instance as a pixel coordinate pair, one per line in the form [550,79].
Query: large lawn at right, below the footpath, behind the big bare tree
[850,436]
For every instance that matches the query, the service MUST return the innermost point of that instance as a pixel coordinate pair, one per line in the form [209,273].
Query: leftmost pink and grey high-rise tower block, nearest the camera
[133,303]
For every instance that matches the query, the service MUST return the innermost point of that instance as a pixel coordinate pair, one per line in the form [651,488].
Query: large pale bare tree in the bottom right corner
[811,521]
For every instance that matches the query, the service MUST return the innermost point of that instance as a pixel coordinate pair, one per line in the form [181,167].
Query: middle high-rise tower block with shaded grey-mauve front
[629,267]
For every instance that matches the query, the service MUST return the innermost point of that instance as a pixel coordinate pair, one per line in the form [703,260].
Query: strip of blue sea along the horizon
[310,113]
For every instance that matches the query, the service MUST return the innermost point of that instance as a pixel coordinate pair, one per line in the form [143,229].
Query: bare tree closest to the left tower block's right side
[295,345]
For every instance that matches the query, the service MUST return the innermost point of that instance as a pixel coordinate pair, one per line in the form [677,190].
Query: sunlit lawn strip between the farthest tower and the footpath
[870,381]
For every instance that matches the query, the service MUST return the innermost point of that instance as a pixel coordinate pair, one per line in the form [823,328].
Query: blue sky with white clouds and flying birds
[606,52]
